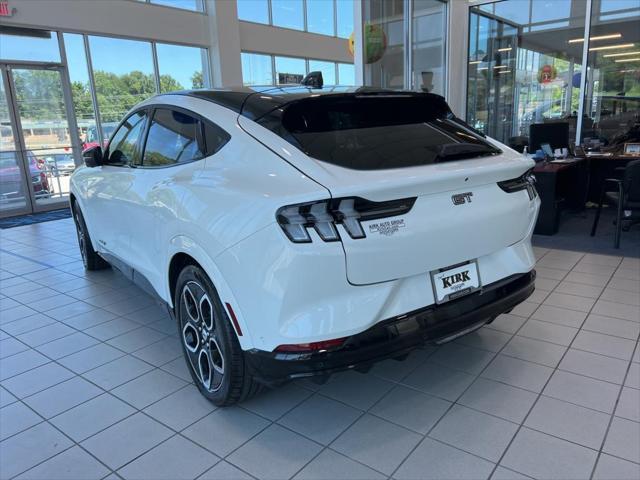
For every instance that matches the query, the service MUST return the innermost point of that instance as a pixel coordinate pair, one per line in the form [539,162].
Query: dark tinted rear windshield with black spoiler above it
[377,132]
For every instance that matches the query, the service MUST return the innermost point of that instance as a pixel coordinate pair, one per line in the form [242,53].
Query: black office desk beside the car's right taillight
[560,186]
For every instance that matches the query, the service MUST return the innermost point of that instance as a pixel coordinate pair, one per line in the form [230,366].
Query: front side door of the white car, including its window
[109,191]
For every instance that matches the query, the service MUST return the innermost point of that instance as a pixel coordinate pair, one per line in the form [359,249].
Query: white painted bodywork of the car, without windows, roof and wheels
[221,212]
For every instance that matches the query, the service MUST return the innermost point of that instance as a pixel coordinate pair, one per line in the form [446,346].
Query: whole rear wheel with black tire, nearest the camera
[211,349]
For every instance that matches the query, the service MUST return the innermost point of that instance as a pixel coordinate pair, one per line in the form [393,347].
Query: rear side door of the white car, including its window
[173,147]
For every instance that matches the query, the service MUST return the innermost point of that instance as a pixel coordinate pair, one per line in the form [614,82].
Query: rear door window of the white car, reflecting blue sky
[174,137]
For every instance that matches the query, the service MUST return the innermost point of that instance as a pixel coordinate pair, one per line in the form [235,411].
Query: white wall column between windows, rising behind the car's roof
[224,49]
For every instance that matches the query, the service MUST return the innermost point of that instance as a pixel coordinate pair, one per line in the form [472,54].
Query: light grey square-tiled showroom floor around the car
[93,385]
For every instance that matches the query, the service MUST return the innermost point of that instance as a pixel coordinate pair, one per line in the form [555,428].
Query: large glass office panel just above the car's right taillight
[524,66]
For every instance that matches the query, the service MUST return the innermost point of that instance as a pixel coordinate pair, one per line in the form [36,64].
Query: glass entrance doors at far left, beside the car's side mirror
[37,142]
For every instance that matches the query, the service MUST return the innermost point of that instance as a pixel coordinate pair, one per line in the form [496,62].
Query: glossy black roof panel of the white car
[255,102]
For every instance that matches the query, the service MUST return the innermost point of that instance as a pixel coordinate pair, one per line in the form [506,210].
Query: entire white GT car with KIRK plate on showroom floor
[295,232]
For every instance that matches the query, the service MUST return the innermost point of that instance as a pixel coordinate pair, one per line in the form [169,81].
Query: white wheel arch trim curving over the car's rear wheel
[185,251]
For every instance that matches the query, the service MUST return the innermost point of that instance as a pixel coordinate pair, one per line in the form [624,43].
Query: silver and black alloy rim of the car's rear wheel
[198,327]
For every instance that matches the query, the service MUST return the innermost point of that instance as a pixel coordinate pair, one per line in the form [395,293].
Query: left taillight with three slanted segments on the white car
[324,215]
